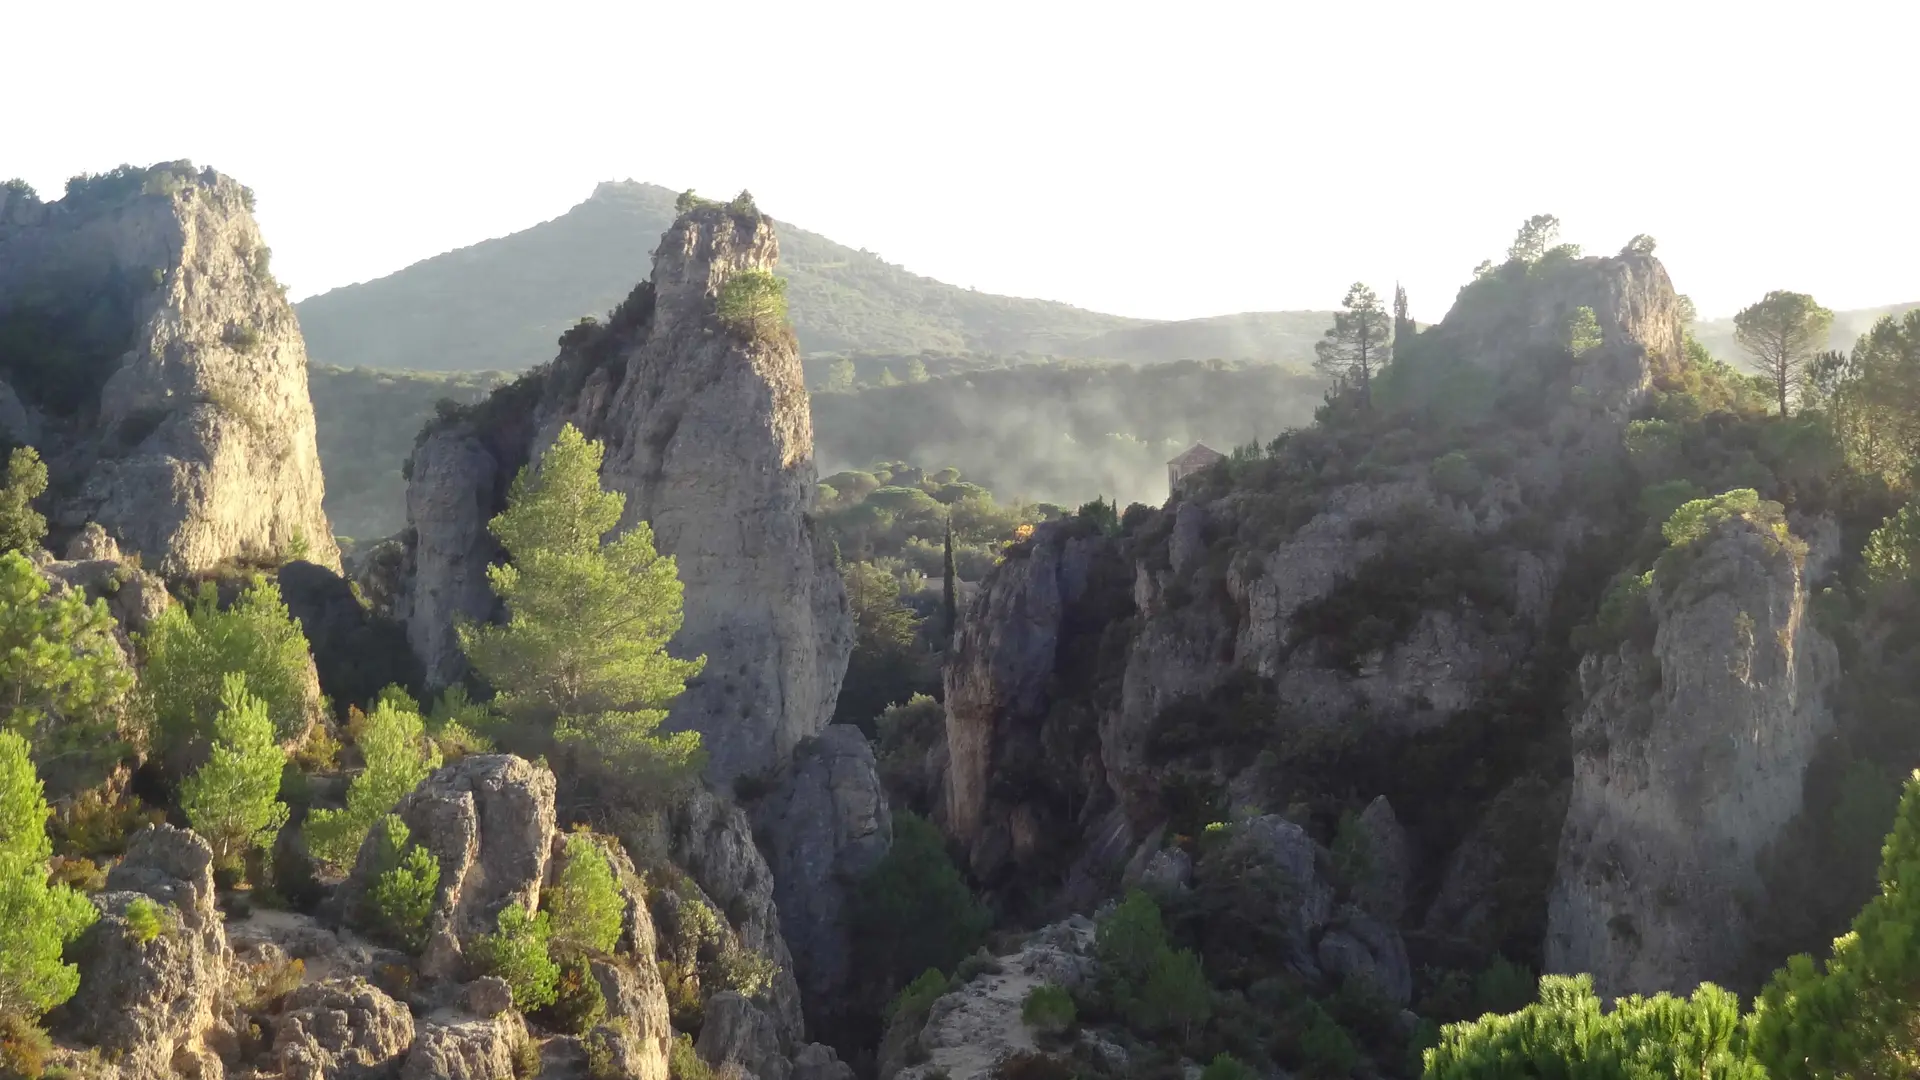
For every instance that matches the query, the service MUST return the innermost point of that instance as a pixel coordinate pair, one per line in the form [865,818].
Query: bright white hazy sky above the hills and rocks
[1161,160]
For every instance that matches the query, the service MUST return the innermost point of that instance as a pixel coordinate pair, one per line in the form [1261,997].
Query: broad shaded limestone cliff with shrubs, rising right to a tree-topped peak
[1351,593]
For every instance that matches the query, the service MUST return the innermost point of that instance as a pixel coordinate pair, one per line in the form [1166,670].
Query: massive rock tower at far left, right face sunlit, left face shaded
[168,389]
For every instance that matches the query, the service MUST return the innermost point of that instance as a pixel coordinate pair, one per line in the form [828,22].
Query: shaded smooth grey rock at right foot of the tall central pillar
[825,829]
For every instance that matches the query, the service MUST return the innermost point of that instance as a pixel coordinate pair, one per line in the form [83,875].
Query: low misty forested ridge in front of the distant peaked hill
[1042,431]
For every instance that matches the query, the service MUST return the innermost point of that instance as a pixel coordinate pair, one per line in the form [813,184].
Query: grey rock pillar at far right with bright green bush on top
[1691,754]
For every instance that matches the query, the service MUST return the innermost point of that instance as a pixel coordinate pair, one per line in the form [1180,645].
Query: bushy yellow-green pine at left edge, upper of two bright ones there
[62,677]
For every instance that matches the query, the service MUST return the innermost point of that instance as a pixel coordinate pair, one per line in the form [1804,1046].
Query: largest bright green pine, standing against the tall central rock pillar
[583,656]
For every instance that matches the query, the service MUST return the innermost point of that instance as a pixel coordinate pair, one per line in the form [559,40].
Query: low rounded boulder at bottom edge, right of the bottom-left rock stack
[343,1029]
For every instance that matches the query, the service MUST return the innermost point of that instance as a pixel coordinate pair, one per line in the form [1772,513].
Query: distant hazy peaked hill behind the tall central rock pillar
[504,303]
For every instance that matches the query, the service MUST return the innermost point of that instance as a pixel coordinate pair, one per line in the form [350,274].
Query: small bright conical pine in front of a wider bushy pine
[235,798]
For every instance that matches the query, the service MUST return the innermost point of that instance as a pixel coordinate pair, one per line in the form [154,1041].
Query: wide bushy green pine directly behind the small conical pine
[191,649]
